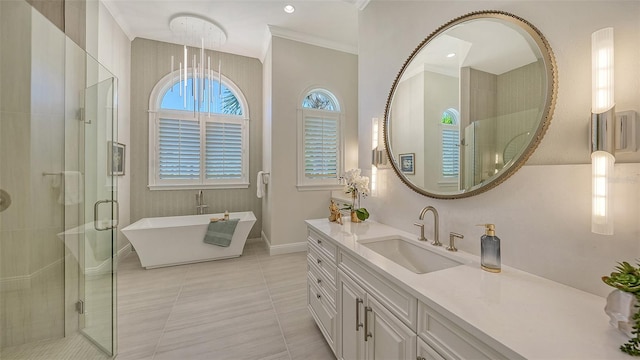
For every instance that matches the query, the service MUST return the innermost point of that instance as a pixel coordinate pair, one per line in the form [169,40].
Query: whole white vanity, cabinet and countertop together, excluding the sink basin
[370,307]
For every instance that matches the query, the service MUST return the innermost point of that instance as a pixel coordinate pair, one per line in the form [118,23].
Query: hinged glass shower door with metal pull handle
[97,320]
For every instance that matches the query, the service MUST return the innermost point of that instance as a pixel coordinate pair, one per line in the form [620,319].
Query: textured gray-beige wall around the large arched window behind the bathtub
[150,61]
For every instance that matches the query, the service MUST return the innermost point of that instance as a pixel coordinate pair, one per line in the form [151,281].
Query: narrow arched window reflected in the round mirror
[450,135]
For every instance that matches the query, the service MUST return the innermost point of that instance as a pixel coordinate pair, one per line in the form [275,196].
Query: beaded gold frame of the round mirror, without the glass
[549,104]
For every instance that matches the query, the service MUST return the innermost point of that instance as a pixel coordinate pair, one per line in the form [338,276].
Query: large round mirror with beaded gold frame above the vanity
[470,105]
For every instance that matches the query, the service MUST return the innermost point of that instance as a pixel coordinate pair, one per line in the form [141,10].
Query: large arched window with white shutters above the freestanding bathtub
[198,141]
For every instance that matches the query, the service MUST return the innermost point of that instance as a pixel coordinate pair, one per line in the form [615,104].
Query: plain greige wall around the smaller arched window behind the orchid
[296,66]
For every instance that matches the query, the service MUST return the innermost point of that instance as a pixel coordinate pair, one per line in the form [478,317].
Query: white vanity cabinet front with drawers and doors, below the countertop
[365,316]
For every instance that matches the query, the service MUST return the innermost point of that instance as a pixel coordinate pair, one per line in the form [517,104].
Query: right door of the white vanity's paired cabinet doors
[387,337]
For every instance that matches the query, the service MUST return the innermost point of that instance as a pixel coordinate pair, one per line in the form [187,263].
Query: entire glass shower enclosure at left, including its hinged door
[58,193]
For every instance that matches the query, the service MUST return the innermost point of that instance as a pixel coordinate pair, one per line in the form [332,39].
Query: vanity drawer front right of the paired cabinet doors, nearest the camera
[450,340]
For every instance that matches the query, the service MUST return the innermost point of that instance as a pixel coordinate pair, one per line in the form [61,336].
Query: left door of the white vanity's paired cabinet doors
[351,318]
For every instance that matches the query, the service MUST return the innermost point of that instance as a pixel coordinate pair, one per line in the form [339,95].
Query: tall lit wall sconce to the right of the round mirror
[603,140]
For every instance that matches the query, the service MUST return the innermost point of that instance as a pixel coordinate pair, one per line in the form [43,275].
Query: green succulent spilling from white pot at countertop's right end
[626,278]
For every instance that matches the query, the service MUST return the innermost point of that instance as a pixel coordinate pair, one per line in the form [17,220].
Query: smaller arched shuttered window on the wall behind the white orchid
[319,139]
